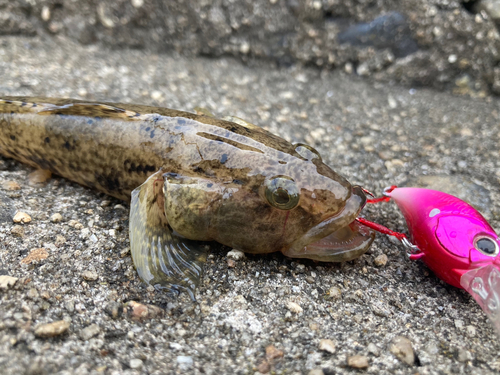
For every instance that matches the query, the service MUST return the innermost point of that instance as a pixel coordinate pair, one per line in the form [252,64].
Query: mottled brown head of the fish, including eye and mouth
[282,201]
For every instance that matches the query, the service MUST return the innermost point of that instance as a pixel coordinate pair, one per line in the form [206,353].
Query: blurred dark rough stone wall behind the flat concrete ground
[447,44]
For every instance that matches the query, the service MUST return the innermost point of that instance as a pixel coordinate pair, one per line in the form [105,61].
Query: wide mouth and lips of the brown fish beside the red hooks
[339,238]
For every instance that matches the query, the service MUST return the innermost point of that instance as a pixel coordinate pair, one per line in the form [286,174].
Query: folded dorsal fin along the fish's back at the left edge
[73,109]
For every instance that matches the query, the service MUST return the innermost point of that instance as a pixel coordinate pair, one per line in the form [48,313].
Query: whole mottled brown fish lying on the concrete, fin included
[192,179]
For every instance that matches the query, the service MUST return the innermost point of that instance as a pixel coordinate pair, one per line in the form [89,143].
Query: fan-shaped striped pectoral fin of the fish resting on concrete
[162,258]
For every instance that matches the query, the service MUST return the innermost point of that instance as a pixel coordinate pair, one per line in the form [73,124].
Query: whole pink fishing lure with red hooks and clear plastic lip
[454,240]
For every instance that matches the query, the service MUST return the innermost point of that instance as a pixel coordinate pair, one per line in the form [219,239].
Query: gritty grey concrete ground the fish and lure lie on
[375,135]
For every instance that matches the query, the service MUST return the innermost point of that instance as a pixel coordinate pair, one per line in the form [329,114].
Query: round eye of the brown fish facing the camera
[282,192]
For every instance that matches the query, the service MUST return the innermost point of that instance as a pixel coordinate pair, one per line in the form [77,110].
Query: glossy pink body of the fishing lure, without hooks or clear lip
[452,234]
